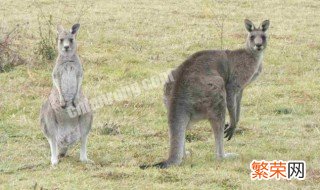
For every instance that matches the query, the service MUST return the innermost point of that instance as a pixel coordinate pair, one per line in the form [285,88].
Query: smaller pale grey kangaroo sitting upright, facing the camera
[60,129]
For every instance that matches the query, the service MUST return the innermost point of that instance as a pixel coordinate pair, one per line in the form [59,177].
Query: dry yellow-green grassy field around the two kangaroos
[127,41]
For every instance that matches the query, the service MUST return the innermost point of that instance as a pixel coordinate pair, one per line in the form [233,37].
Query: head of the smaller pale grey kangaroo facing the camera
[67,45]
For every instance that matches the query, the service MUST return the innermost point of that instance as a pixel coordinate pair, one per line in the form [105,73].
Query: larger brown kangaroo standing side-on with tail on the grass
[205,85]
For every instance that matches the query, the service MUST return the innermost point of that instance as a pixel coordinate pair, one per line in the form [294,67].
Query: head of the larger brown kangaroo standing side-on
[257,37]
